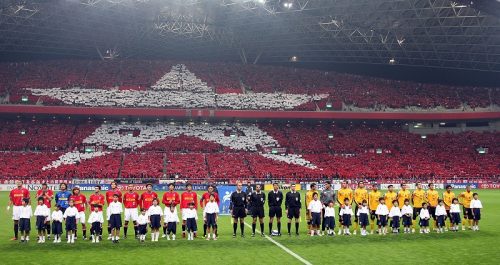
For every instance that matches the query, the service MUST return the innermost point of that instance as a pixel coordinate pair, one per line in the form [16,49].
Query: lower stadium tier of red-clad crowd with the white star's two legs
[61,150]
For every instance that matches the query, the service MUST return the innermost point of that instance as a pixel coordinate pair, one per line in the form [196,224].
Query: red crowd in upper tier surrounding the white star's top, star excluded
[346,90]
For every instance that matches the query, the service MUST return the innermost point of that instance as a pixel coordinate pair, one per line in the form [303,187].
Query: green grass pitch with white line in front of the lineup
[464,247]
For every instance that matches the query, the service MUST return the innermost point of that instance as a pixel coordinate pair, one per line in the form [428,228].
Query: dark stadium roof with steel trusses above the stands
[429,33]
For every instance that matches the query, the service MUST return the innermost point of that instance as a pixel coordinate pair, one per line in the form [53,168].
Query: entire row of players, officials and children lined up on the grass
[369,208]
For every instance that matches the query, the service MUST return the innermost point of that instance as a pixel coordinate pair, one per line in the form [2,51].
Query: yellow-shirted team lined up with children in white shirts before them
[395,208]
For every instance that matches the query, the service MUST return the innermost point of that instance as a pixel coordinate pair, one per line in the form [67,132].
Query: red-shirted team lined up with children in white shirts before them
[71,207]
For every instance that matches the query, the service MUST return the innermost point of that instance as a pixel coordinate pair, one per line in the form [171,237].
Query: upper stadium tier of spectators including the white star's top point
[168,84]
